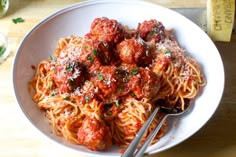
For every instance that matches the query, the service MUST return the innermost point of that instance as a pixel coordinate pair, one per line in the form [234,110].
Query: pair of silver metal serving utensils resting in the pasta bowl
[131,150]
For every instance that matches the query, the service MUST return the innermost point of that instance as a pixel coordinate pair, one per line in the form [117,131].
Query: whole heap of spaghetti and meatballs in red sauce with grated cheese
[99,89]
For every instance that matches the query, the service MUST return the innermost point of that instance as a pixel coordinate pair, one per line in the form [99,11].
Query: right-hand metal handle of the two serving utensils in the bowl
[150,137]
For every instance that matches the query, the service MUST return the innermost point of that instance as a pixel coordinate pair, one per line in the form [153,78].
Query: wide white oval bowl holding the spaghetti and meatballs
[41,41]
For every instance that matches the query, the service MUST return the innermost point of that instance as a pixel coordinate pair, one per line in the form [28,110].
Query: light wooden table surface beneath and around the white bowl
[18,138]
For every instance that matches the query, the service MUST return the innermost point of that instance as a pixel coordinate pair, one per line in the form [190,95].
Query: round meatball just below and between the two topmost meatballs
[133,51]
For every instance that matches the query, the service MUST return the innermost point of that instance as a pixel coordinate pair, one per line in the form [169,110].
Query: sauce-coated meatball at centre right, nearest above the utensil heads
[144,83]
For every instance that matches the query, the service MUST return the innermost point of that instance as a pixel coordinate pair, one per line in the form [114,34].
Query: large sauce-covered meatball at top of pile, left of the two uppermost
[108,30]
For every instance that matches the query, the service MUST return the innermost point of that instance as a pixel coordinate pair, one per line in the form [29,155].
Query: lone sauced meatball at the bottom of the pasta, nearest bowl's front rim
[94,134]
